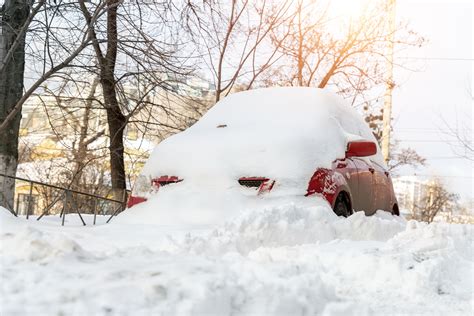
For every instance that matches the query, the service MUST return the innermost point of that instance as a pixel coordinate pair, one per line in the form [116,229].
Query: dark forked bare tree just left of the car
[125,37]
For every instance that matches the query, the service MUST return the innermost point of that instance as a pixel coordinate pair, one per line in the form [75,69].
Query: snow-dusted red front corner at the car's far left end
[144,186]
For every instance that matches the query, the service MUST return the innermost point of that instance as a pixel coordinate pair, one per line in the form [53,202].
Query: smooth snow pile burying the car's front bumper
[186,204]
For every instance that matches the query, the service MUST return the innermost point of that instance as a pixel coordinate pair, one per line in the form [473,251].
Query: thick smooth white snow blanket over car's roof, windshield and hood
[280,133]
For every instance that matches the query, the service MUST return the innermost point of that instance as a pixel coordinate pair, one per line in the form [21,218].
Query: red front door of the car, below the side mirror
[364,197]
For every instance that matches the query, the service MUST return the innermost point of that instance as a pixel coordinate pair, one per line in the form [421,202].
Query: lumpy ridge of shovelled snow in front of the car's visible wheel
[291,225]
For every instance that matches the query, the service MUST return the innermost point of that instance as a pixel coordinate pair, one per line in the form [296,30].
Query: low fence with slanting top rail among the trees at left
[37,198]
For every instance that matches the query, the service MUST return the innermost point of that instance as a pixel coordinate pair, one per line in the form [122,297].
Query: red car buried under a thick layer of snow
[268,143]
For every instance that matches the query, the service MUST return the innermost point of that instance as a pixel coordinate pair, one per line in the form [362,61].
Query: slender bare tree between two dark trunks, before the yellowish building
[73,149]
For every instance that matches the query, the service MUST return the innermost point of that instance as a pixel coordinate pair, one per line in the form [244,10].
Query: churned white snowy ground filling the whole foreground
[282,260]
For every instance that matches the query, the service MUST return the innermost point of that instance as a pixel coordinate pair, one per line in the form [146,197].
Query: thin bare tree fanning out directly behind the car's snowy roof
[234,40]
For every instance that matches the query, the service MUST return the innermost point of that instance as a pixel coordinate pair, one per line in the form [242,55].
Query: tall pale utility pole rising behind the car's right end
[387,106]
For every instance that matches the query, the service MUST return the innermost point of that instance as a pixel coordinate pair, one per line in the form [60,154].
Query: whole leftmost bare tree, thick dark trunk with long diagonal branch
[18,22]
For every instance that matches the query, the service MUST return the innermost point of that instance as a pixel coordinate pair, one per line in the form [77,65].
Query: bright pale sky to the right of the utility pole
[442,90]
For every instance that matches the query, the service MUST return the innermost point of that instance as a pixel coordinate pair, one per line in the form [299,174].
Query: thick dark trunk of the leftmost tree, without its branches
[14,16]
